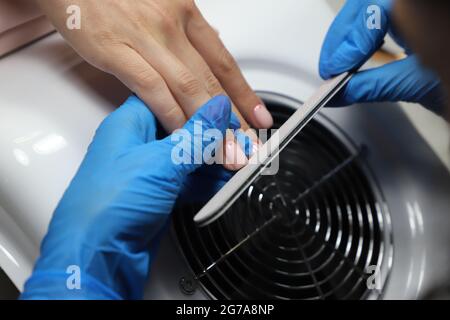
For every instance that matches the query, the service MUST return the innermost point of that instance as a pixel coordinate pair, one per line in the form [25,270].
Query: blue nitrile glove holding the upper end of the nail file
[350,43]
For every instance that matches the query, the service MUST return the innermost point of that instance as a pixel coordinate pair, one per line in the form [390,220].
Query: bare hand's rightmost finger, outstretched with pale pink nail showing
[207,42]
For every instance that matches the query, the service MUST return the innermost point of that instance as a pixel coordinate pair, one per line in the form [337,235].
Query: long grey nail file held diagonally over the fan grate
[223,200]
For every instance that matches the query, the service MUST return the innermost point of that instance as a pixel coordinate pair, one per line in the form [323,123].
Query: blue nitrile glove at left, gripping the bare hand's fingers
[110,218]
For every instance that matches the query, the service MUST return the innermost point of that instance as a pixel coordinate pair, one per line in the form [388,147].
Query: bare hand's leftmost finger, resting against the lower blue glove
[129,67]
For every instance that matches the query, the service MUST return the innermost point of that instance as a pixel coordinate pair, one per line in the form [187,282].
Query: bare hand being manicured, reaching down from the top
[164,51]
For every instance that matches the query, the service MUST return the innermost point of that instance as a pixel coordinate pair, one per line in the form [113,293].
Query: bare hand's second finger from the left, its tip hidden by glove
[186,87]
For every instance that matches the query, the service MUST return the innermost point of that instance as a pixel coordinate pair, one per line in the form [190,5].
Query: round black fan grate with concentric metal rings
[308,232]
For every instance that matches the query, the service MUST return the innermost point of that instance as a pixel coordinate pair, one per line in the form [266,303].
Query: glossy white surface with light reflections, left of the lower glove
[50,105]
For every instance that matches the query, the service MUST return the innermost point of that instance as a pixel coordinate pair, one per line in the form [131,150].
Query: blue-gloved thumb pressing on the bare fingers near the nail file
[197,142]
